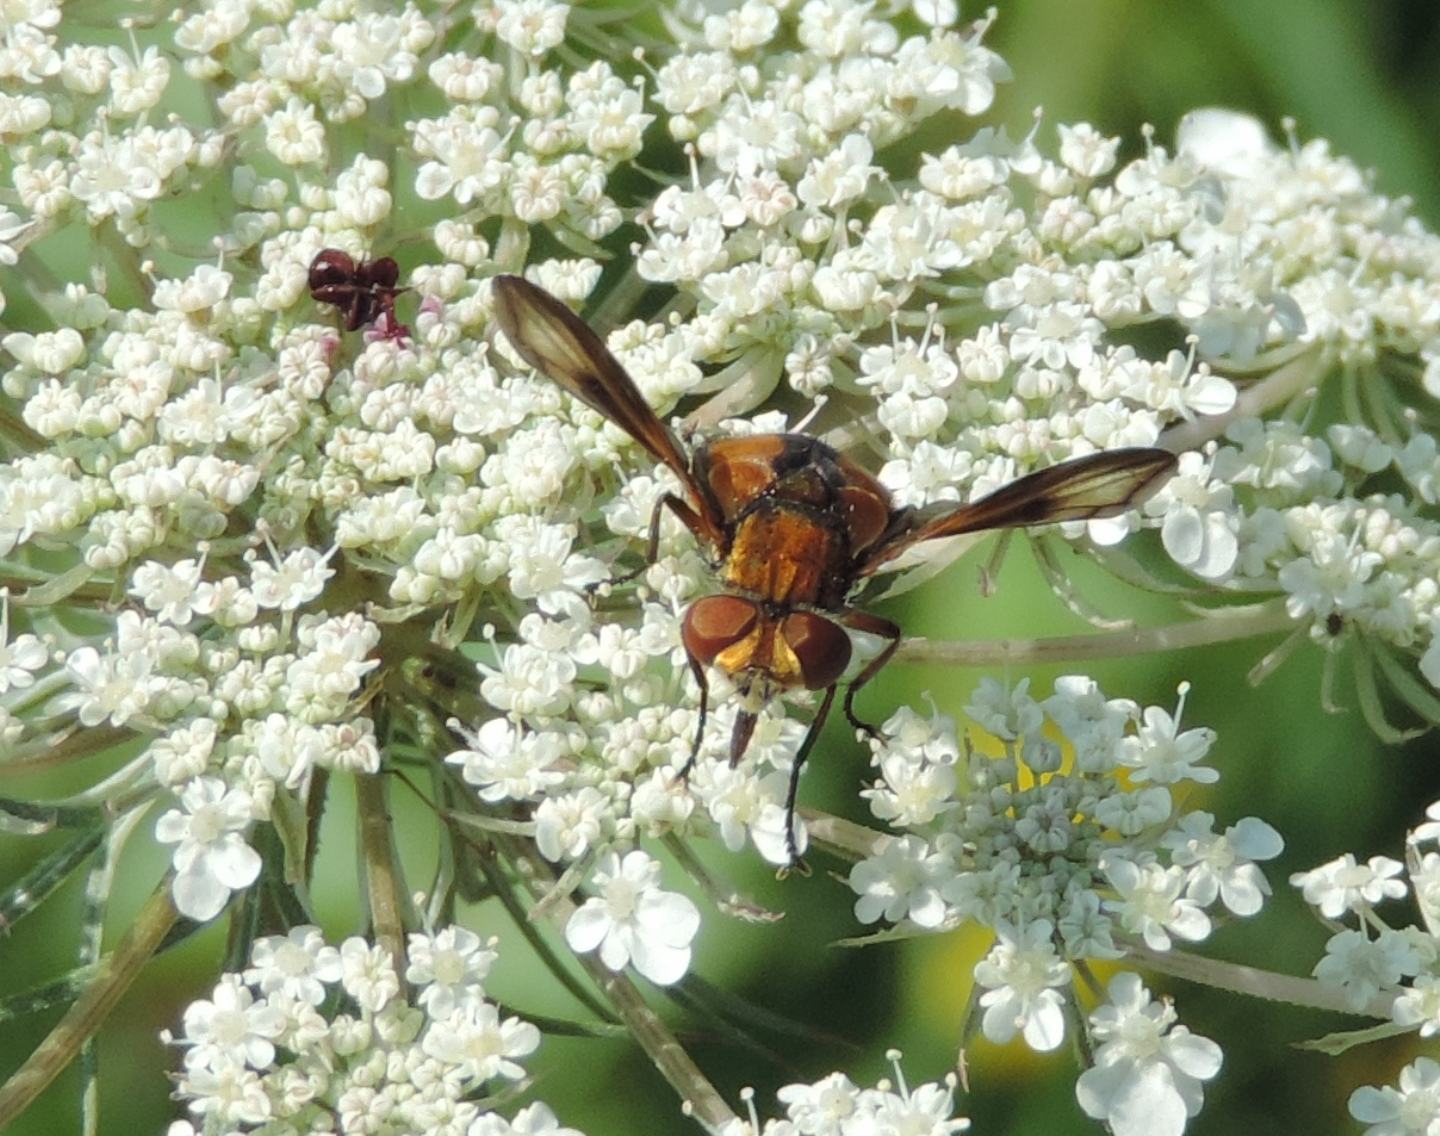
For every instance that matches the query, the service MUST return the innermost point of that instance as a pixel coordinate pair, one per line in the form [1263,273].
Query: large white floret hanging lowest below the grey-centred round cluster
[1148,1076]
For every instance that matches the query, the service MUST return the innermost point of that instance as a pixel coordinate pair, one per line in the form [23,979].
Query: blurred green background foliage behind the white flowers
[1360,76]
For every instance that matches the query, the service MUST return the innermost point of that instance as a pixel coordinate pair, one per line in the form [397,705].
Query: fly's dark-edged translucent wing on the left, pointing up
[555,342]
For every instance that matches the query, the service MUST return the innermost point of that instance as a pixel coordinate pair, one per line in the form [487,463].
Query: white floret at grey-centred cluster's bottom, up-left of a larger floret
[1025,978]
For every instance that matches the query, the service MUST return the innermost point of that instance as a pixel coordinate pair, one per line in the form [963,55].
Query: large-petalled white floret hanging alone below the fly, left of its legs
[634,921]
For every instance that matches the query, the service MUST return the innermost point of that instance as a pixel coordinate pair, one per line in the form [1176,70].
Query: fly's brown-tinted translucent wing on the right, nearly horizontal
[1097,486]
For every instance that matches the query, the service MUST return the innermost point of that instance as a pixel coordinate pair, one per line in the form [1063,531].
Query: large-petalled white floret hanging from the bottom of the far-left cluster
[211,859]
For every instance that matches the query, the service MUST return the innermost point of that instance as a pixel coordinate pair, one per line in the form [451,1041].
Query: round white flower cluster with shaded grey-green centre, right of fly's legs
[1065,860]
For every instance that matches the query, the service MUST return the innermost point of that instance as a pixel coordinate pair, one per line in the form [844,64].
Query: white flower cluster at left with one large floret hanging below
[233,721]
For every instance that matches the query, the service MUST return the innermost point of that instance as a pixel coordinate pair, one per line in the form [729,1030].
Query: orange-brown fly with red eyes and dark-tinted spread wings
[793,528]
